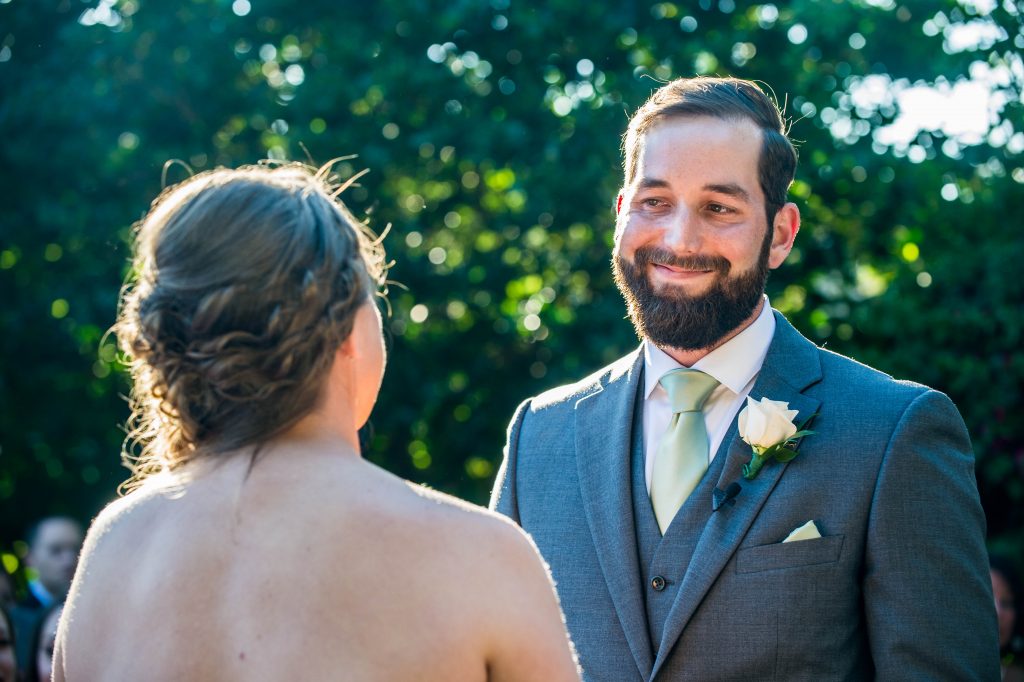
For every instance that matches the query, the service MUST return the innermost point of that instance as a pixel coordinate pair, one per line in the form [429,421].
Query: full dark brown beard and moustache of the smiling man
[674,319]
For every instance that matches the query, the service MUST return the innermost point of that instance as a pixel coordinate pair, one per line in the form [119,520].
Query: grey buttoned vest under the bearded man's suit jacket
[664,561]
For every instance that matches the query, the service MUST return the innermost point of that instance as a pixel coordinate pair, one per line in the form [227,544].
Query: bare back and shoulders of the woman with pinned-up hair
[314,565]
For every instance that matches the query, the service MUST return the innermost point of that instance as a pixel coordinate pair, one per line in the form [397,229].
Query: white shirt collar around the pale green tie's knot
[734,364]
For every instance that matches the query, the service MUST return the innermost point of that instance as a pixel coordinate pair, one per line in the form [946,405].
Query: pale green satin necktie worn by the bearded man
[681,458]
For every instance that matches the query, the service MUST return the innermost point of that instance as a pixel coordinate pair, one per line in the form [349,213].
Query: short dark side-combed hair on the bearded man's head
[730,100]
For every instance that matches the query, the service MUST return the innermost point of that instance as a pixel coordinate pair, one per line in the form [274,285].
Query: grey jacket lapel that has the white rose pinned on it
[791,366]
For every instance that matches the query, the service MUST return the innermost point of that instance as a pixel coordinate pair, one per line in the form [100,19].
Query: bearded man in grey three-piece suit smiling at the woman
[856,552]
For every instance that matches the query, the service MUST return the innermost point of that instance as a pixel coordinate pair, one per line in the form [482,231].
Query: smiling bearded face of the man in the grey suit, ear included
[693,245]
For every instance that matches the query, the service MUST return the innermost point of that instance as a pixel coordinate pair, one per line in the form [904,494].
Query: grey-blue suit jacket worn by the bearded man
[897,589]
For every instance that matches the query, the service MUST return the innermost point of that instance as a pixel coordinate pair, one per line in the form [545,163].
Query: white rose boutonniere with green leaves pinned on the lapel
[769,429]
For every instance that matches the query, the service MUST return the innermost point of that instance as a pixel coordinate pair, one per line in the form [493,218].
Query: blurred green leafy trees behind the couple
[492,133]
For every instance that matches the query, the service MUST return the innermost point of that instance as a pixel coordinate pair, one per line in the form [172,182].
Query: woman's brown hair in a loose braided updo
[244,285]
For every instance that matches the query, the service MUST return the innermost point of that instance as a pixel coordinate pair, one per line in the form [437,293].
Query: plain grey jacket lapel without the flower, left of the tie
[604,428]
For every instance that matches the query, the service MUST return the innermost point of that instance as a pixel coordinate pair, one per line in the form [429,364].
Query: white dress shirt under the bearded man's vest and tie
[736,365]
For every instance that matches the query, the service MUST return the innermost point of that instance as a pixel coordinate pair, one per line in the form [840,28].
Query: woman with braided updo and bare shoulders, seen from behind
[257,543]
